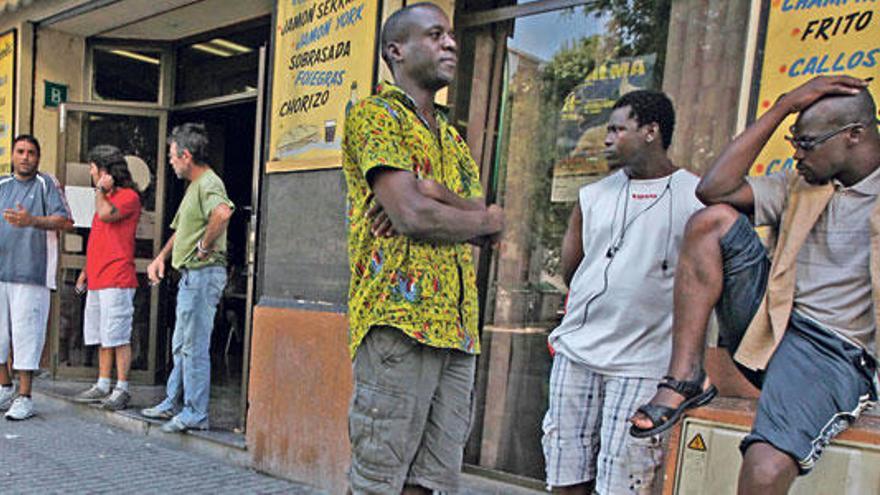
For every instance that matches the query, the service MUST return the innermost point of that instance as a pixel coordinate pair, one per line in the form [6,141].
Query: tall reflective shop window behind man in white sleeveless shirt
[560,73]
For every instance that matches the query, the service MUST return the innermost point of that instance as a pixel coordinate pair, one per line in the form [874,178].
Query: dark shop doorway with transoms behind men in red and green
[137,91]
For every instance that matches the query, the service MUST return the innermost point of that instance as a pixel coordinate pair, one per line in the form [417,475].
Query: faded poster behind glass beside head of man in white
[584,117]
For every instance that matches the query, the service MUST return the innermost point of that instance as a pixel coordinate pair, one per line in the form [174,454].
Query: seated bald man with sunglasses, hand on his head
[803,326]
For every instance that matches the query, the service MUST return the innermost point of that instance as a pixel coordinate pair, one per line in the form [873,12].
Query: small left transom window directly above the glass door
[126,74]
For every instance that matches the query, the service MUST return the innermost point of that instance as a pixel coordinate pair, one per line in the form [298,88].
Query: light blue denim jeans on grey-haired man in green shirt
[189,385]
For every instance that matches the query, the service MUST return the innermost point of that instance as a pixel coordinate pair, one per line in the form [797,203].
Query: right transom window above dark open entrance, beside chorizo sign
[220,64]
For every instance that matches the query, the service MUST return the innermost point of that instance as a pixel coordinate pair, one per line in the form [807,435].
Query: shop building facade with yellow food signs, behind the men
[271,78]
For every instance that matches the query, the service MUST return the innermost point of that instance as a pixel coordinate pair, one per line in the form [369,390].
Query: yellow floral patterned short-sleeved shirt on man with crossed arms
[426,290]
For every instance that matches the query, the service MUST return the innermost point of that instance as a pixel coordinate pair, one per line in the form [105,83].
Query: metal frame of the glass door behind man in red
[74,261]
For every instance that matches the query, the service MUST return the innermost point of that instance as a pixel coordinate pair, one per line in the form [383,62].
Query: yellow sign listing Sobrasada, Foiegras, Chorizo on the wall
[324,59]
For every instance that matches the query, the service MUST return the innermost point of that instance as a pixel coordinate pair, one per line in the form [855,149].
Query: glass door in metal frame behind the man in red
[140,134]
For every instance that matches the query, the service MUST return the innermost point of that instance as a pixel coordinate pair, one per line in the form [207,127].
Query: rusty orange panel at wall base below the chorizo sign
[300,387]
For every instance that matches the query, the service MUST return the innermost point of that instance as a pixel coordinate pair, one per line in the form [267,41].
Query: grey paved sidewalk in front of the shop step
[60,451]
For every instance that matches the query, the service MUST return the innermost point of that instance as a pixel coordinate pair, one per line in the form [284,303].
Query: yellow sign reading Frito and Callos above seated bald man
[808,39]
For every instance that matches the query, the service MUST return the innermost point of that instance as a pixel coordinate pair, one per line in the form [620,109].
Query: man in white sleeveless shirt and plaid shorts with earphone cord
[618,257]
